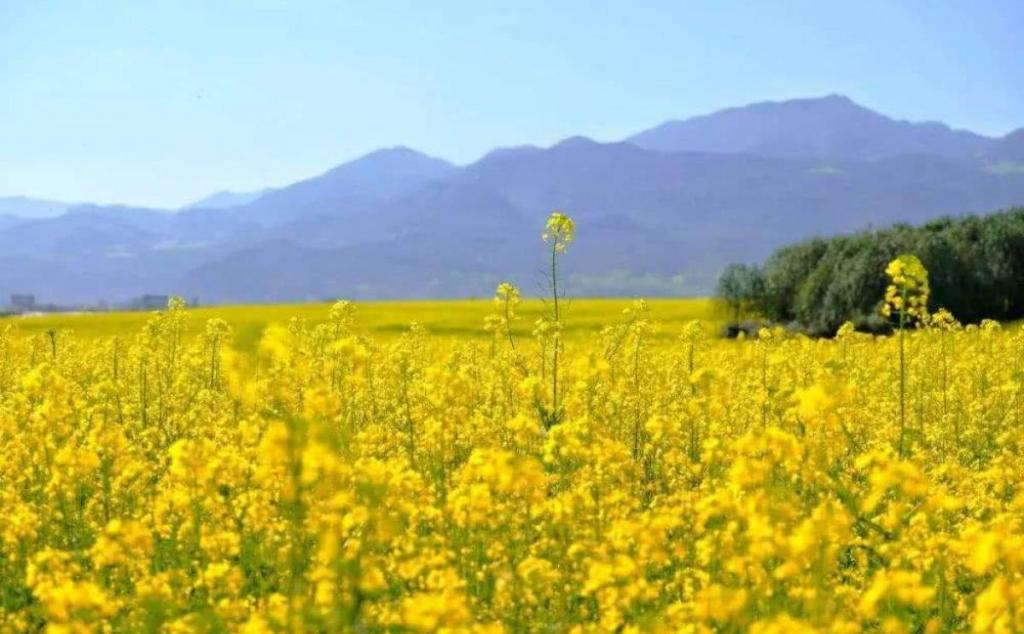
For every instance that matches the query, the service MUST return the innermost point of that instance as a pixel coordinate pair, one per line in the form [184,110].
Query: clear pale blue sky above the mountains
[160,104]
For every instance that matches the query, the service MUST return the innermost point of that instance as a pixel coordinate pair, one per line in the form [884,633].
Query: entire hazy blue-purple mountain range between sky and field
[659,214]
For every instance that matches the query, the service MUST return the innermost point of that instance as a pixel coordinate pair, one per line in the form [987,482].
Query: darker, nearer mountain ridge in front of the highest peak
[676,219]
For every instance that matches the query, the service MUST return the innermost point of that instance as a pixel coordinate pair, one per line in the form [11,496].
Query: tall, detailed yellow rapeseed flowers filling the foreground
[333,482]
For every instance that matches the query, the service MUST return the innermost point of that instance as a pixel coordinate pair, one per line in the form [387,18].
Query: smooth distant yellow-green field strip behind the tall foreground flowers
[381,319]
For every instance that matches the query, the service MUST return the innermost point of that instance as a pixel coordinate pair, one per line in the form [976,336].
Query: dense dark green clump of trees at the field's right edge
[976,266]
